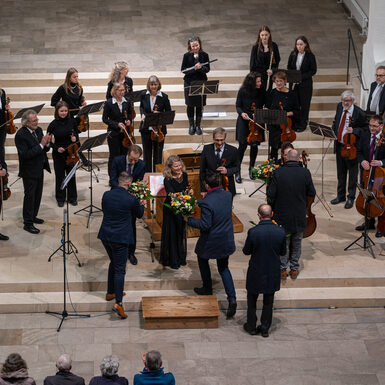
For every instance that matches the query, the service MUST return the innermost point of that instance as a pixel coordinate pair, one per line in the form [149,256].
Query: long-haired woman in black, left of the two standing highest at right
[264,57]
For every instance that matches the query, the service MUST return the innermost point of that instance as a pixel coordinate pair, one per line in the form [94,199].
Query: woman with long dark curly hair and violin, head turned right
[251,95]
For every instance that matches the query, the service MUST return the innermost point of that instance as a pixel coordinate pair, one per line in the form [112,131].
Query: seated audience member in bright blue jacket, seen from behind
[153,372]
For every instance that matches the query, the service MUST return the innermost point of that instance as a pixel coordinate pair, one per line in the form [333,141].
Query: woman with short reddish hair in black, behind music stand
[288,99]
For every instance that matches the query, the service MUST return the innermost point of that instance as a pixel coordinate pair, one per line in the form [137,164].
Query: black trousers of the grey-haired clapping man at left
[33,189]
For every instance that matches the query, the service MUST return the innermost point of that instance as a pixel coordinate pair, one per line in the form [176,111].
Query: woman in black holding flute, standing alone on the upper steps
[194,58]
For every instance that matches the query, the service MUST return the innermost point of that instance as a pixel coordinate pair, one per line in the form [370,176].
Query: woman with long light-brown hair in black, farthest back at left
[71,92]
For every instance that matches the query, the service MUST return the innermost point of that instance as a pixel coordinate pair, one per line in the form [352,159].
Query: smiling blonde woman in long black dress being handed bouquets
[174,238]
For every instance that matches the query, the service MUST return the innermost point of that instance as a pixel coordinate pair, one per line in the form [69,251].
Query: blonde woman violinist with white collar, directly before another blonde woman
[117,116]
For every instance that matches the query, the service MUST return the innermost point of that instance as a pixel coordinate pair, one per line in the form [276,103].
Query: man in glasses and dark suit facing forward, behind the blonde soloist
[213,157]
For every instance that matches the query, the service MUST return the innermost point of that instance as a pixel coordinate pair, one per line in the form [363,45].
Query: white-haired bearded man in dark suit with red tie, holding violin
[349,119]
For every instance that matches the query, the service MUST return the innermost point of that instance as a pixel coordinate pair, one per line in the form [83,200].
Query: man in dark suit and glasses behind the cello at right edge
[368,156]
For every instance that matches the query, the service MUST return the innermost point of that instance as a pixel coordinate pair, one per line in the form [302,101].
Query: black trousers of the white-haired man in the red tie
[345,167]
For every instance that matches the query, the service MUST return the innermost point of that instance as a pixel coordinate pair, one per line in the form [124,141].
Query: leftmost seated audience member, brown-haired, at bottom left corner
[15,371]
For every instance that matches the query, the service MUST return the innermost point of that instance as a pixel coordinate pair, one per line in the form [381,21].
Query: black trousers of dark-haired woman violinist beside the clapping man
[61,170]
